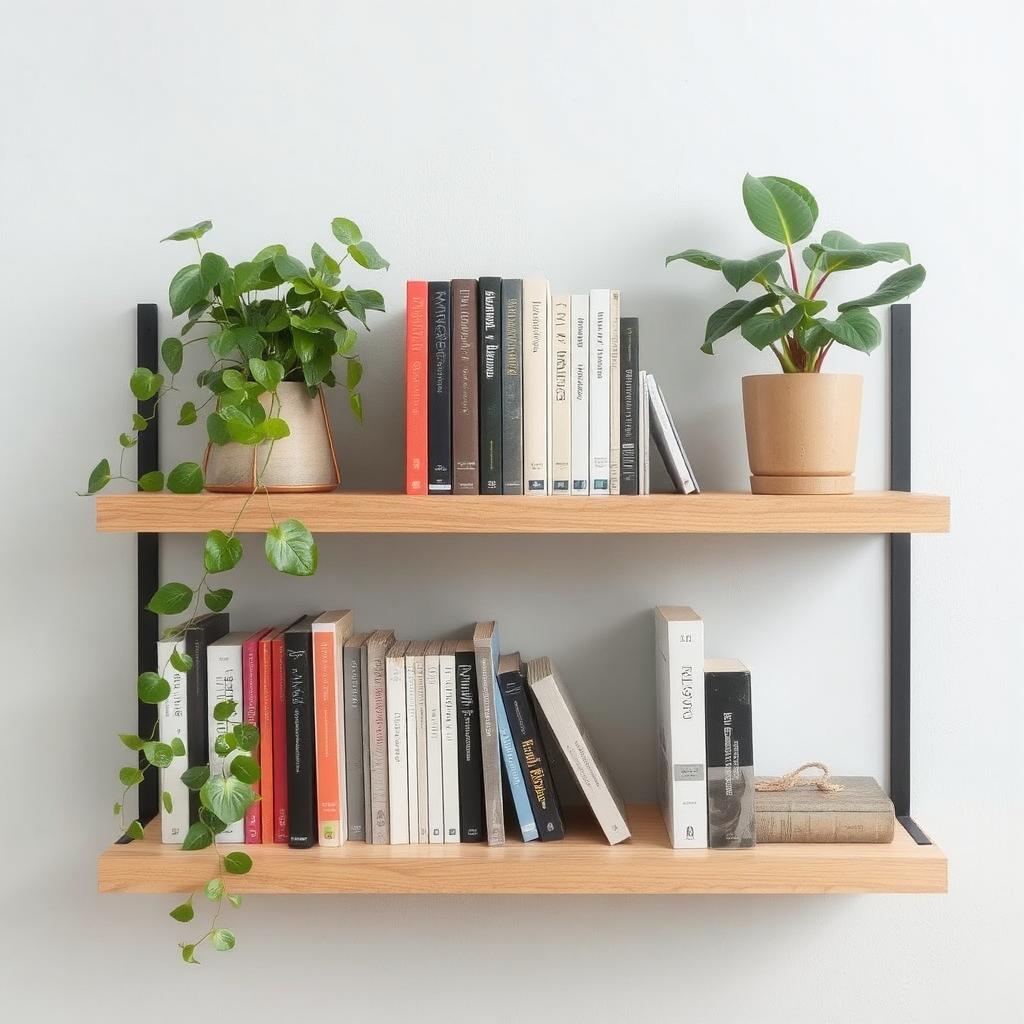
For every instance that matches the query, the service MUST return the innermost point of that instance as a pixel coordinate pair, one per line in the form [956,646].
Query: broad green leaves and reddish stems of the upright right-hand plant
[787,318]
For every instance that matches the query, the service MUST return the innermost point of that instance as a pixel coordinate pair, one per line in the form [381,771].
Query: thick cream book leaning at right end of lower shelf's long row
[556,705]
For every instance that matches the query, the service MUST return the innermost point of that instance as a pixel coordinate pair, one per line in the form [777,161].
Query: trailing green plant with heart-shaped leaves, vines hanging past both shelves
[265,321]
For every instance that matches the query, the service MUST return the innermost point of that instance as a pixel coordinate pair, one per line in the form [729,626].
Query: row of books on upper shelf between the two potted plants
[511,391]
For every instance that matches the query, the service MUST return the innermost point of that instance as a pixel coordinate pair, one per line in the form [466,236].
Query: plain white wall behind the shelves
[625,135]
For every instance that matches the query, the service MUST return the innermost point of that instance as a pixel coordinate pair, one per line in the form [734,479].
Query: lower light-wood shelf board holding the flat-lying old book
[583,864]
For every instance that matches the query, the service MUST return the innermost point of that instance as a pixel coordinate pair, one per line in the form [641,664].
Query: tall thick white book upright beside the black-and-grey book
[682,772]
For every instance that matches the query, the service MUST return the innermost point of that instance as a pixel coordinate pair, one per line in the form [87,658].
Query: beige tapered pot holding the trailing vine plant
[303,462]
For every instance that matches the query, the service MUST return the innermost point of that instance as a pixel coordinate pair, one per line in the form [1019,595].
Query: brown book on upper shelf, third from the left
[465,416]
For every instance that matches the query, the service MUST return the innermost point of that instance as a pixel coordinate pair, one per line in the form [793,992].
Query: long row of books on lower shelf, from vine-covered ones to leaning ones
[366,738]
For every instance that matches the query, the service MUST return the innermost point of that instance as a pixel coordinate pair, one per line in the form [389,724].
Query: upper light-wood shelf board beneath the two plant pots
[349,513]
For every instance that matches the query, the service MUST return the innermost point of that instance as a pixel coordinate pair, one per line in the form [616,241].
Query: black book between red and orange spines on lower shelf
[302,749]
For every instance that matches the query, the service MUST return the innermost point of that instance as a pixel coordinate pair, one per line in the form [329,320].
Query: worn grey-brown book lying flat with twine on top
[861,813]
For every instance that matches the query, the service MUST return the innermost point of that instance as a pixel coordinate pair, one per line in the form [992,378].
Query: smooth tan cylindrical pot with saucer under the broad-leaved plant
[802,433]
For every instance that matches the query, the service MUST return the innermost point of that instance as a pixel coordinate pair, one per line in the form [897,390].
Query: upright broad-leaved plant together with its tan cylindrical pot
[802,426]
